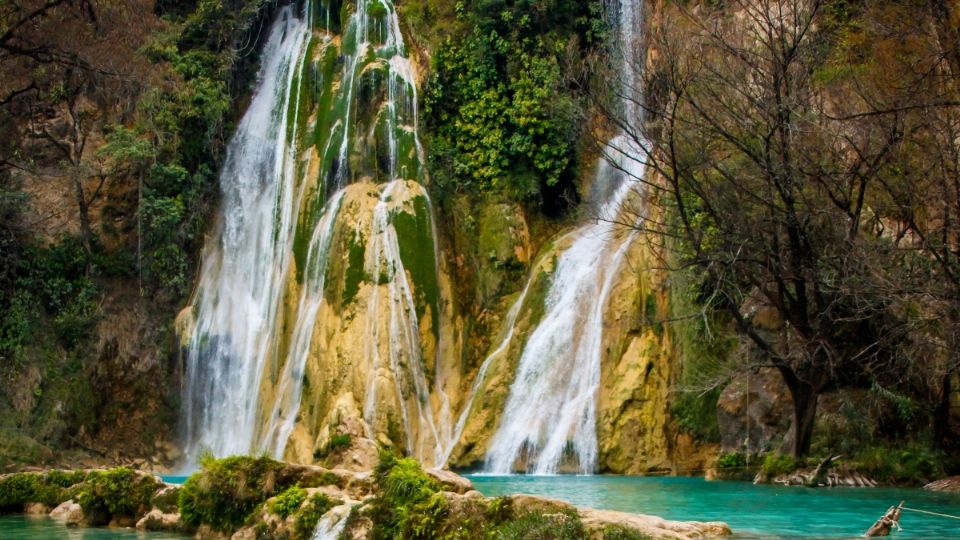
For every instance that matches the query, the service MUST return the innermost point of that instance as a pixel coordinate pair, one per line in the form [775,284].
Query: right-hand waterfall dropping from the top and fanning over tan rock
[550,414]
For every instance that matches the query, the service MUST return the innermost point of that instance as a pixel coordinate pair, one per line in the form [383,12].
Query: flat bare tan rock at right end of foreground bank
[655,527]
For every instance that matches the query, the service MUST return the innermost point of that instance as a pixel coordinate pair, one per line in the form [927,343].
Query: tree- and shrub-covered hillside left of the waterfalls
[123,114]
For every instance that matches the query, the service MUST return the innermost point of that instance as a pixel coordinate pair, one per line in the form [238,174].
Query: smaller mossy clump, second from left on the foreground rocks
[117,492]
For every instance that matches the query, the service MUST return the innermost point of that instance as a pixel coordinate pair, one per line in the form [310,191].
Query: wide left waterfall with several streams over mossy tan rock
[328,113]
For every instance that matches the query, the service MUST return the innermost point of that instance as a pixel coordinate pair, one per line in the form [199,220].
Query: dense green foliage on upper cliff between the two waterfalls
[501,102]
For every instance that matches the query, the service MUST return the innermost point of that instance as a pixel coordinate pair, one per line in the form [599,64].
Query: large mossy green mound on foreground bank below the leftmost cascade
[226,491]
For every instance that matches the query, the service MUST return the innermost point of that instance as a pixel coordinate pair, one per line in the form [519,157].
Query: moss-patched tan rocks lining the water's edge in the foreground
[298,497]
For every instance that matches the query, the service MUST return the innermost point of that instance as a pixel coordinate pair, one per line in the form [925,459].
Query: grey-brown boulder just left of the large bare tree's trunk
[753,413]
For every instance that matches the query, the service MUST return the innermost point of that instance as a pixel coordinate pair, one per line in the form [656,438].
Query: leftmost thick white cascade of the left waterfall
[245,261]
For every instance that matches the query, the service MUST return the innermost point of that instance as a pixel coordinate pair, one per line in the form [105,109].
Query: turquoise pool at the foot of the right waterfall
[752,511]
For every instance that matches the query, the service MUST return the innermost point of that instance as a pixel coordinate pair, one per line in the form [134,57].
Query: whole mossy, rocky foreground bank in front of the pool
[245,498]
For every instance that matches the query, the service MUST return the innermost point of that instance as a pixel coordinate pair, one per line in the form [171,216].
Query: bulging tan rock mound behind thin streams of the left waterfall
[342,385]
